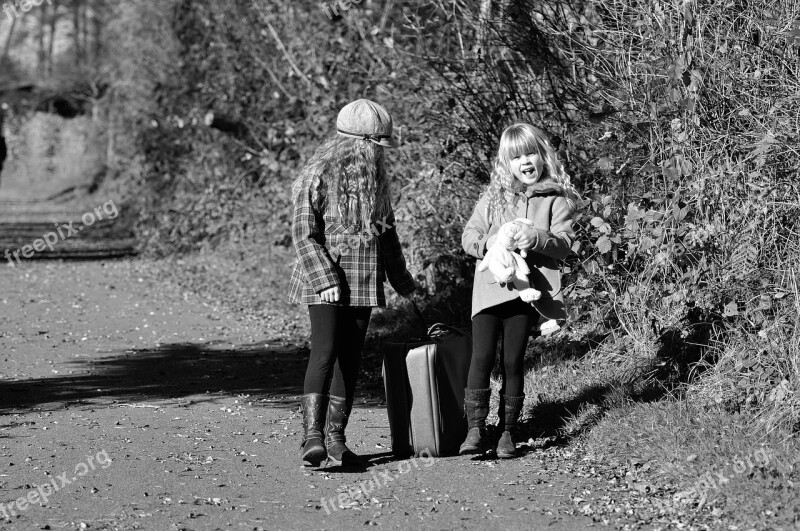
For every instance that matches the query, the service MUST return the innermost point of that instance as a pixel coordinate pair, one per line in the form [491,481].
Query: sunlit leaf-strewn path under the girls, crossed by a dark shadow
[170,414]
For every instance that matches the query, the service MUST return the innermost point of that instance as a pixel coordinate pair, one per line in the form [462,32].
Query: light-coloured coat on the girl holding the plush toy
[545,205]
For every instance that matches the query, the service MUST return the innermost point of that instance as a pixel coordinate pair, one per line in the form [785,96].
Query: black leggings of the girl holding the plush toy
[515,318]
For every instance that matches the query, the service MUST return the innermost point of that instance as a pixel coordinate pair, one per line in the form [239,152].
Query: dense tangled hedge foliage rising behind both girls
[676,119]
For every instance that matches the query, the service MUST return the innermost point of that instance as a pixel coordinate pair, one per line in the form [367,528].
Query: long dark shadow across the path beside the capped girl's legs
[274,373]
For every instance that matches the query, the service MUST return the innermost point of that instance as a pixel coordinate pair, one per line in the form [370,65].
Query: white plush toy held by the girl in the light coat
[507,266]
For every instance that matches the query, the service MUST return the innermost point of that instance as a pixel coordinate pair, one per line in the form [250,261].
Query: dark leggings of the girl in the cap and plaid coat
[337,337]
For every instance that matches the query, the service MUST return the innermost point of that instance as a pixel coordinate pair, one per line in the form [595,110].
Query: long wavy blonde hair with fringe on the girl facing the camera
[504,189]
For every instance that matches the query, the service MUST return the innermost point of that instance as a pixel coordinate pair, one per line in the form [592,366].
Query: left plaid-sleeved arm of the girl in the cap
[313,257]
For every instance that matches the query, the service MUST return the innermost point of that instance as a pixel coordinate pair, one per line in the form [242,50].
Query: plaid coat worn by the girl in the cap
[329,254]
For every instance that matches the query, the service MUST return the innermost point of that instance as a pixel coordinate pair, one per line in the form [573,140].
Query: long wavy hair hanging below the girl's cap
[348,173]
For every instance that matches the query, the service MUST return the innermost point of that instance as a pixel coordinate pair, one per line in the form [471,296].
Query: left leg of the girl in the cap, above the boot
[325,321]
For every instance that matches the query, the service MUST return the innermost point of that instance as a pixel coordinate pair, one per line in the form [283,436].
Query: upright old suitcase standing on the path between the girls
[424,382]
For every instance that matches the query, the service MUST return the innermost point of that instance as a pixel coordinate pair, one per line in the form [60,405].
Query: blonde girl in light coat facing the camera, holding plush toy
[528,182]
